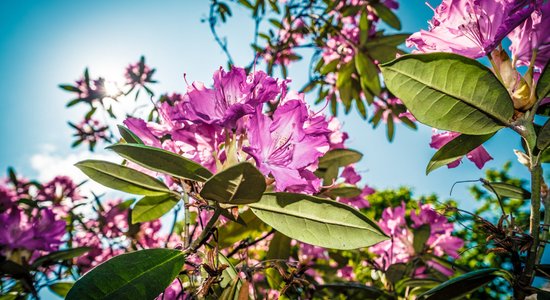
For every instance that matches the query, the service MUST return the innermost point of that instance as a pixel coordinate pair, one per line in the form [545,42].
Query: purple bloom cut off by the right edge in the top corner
[532,35]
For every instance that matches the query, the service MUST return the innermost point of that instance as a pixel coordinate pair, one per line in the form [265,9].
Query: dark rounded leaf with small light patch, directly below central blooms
[239,184]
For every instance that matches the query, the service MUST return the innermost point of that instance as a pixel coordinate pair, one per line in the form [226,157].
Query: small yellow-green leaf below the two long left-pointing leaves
[153,207]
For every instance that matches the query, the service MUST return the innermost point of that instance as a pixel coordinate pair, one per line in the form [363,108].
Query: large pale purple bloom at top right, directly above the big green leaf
[472,28]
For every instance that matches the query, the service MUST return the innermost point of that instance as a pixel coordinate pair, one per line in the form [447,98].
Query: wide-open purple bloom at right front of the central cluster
[282,147]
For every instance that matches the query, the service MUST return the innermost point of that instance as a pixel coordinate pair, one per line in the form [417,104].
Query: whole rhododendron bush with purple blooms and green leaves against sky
[241,187]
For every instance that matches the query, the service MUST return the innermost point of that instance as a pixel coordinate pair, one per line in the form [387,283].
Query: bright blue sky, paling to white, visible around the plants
[44,43]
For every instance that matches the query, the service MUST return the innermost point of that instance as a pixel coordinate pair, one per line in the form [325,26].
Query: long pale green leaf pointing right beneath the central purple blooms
[329,224]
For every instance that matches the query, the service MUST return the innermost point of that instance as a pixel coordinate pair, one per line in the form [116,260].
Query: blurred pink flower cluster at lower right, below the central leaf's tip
[400,248]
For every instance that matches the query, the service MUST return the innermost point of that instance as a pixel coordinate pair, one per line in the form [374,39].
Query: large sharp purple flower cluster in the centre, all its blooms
[227,124]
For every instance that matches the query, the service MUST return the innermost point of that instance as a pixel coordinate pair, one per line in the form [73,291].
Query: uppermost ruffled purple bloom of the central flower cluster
[233,96]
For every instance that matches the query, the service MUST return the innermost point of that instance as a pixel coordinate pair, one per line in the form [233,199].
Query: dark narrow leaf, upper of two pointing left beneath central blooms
[162,161]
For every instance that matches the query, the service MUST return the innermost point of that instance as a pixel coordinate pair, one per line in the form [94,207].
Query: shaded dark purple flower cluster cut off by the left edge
[30,216]
